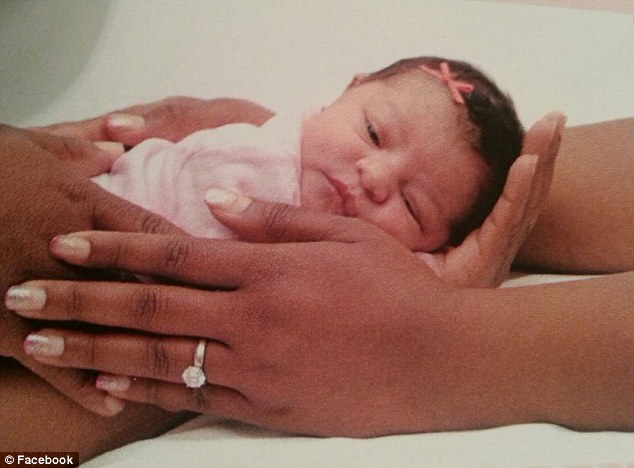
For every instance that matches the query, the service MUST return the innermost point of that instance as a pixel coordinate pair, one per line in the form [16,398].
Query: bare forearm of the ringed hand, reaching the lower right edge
[558,353]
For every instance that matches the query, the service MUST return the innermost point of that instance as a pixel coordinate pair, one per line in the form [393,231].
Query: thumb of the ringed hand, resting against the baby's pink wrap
[259,221]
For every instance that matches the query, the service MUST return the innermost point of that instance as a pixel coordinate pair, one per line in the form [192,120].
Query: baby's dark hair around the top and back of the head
[498,140]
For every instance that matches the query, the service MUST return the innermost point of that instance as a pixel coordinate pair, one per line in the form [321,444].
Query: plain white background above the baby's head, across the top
[71,59]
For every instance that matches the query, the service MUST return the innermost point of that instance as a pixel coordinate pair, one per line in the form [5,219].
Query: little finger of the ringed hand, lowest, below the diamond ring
[209,399]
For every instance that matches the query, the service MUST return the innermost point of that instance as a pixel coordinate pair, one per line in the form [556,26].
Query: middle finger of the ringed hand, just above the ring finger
[149,308]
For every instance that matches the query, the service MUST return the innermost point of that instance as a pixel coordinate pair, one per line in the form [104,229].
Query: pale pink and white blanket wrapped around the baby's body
[170,179]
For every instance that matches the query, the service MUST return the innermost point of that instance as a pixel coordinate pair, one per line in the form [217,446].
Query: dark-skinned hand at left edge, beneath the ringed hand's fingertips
[40,198]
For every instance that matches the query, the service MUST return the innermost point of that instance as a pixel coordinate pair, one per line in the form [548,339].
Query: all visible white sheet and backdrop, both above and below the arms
[62,60]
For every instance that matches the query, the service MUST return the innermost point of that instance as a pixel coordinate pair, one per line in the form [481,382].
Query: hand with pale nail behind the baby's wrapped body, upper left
[172,119]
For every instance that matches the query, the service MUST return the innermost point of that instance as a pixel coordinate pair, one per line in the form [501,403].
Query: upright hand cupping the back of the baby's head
[485,256]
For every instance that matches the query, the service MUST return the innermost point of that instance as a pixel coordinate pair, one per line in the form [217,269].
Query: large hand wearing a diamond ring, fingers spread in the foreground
[321,315]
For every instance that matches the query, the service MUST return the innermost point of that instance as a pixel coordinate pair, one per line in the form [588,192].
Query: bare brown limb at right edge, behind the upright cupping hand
[587,221]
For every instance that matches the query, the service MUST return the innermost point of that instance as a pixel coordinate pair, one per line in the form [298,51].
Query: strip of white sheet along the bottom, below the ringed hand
[232,445]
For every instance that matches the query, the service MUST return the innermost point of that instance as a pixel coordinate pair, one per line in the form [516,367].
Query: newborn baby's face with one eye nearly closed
[392,153]
